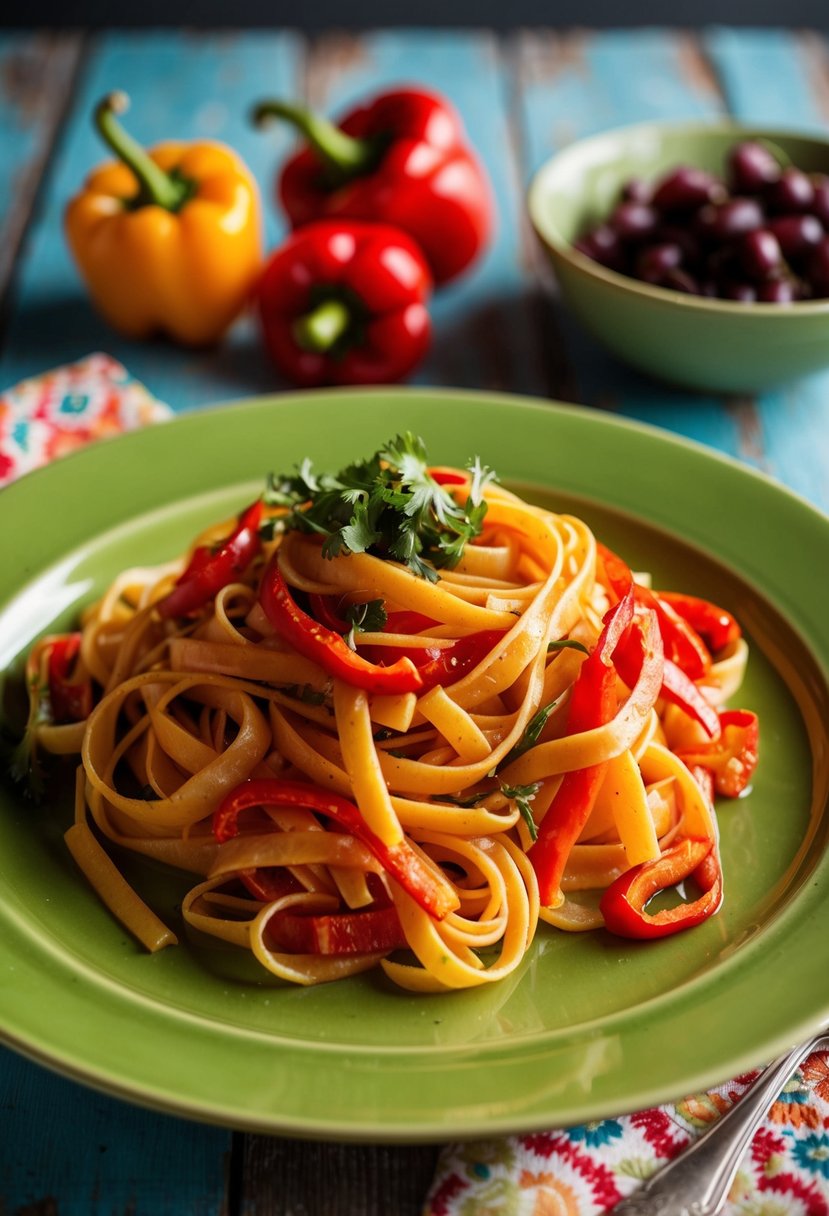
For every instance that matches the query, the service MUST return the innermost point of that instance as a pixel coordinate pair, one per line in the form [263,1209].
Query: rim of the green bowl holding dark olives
[550,237]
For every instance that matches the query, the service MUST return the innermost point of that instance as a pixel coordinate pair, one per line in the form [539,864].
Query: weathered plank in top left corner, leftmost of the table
[37,72]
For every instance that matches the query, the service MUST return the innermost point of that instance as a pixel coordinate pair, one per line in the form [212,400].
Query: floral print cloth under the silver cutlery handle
[584,1172]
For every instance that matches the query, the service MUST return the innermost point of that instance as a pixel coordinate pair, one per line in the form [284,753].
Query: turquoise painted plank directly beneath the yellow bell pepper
[189,87]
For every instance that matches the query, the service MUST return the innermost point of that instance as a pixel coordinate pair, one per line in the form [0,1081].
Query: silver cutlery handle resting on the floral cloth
[697,1183]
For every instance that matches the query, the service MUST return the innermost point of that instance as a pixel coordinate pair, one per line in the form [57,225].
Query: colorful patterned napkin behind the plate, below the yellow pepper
[53,414]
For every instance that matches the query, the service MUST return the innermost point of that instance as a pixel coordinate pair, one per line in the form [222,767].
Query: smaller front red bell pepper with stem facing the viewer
[345,302]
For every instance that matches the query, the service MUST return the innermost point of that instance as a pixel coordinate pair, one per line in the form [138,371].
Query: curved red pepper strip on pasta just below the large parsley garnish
[326,648]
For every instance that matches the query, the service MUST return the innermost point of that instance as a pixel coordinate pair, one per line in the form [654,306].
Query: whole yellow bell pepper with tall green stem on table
[170,240]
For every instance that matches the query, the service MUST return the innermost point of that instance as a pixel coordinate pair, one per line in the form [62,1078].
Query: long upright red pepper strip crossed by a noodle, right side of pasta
[593,703]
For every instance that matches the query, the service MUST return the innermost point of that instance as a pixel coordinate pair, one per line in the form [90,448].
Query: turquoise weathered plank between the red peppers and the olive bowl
[483,333]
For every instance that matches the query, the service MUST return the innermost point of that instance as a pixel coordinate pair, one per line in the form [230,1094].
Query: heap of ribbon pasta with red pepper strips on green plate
[335,821]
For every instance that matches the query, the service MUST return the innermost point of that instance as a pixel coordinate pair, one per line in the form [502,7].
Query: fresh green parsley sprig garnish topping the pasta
[388,505]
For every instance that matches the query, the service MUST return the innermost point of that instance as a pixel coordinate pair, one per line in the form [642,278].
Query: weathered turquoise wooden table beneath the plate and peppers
[63,1147]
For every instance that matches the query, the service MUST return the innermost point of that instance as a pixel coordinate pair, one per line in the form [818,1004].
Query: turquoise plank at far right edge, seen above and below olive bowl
[768,77]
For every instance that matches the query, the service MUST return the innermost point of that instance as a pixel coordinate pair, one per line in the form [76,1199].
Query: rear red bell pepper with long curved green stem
[403,160]
